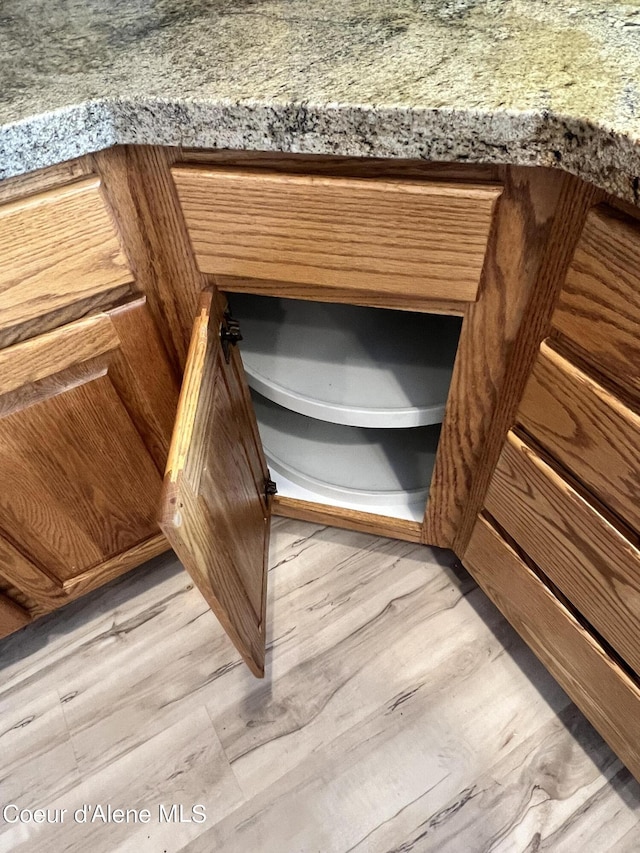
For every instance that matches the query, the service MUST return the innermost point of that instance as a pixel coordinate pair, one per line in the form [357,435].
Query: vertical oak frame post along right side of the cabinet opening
[479,387]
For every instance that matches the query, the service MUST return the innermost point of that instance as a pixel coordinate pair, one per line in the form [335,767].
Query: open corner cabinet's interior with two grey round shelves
[349,400]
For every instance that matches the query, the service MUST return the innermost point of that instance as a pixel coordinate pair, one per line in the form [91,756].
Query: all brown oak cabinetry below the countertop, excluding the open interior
[536,480]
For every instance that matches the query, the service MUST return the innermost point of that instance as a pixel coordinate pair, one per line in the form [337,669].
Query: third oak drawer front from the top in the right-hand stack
[579,550]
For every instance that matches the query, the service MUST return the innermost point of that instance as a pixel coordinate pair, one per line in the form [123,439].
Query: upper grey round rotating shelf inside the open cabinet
[347,364]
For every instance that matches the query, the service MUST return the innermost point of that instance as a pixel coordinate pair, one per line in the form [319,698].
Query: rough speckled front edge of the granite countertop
[601,155]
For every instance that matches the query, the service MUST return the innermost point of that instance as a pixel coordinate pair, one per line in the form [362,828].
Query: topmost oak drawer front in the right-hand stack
[599,306]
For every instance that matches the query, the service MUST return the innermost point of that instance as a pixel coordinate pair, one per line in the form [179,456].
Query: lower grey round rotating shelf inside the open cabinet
[359,467]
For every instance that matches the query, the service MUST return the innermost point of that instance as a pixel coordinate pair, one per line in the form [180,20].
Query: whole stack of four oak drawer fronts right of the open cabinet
[566,490]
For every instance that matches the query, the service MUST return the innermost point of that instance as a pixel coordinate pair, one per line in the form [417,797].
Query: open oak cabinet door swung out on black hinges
[215,508]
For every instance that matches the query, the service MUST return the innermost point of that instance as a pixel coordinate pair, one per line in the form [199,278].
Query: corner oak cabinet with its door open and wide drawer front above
[436,247]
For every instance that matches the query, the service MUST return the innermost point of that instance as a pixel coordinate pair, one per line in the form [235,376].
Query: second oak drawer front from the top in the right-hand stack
[588,429]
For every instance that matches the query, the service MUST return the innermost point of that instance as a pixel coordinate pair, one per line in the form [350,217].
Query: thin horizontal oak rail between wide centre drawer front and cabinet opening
[324,293]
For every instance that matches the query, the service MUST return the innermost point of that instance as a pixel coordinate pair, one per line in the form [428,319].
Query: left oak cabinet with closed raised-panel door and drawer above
[87,401]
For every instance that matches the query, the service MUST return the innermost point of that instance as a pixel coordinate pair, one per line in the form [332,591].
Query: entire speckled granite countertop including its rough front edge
[500,81]
